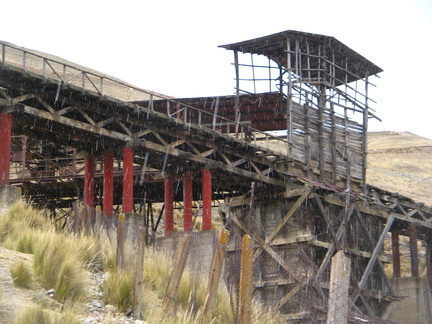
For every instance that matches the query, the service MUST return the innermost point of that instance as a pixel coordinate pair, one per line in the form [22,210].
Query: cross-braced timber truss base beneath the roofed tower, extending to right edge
[368,222]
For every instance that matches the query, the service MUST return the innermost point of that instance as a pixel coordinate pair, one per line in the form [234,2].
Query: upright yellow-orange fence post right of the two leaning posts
[246,281]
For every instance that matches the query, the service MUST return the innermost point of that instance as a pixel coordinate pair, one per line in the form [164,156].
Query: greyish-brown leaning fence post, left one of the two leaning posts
[174,281]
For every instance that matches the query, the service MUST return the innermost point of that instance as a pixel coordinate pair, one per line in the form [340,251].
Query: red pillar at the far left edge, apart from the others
[5,147]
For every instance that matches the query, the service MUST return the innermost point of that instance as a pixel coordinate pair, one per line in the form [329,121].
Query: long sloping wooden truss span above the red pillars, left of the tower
[94,124]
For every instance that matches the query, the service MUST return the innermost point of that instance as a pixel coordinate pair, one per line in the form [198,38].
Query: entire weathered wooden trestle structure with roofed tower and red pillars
[290,156]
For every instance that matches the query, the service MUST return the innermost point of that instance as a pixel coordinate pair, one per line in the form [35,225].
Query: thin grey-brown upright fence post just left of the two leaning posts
[138,283]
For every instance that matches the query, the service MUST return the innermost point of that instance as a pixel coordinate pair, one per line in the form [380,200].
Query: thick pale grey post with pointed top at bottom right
[339,286]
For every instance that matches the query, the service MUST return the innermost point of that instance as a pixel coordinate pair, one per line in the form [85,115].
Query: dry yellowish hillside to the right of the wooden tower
[401,162]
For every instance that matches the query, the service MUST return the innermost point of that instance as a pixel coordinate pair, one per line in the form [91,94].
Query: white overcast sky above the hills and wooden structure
[171,46]
